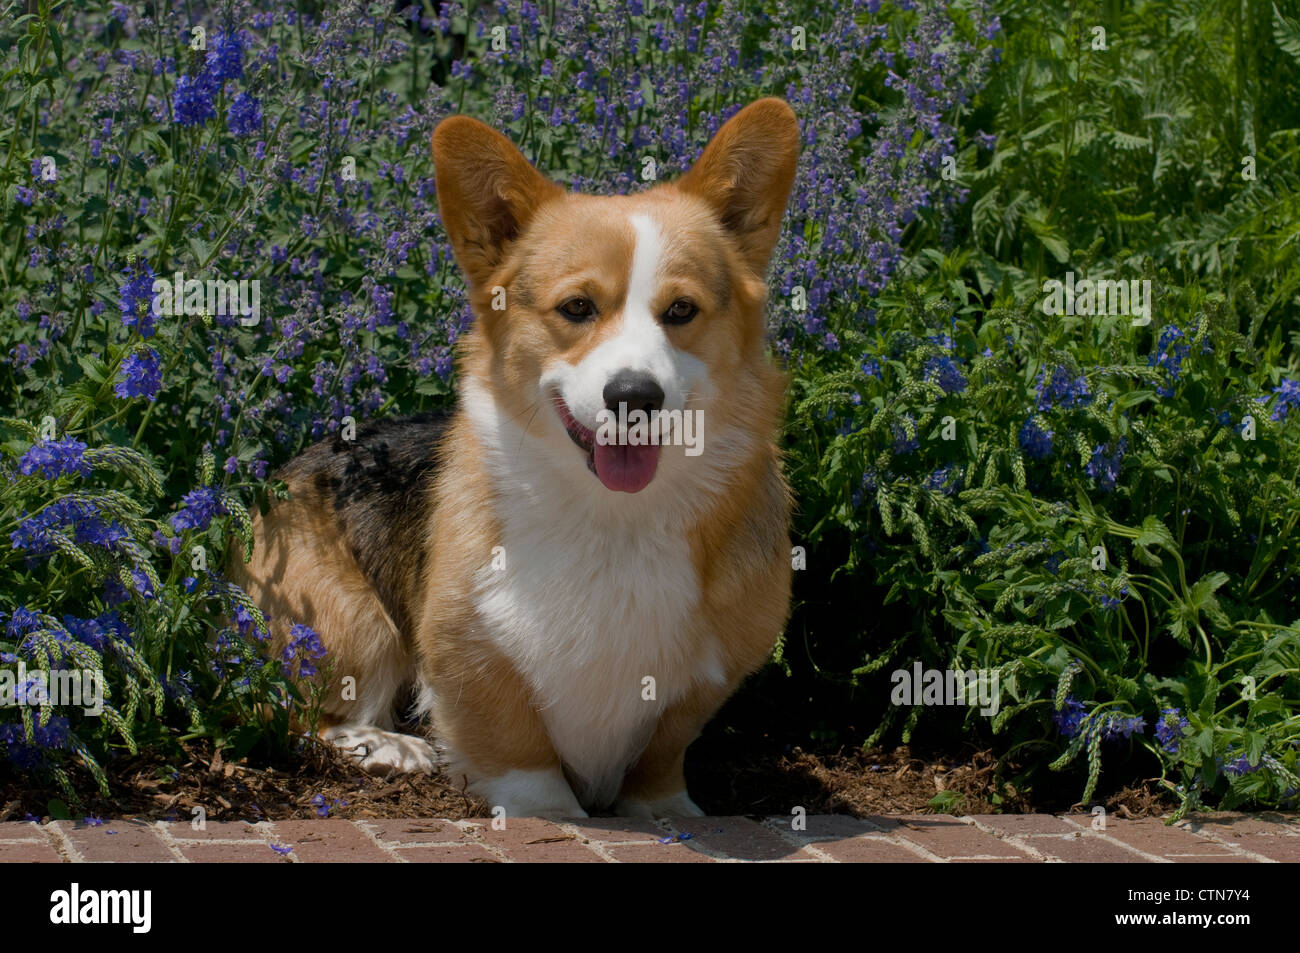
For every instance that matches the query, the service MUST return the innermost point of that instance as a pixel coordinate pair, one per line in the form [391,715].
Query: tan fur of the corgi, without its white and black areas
[513,228]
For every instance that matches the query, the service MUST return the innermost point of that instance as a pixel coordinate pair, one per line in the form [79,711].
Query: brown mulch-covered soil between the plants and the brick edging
[834,781]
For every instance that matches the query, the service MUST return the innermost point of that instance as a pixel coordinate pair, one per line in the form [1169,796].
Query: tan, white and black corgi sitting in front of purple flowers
[552,573]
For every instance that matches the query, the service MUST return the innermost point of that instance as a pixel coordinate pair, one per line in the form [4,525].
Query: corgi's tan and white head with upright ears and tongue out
[621,331]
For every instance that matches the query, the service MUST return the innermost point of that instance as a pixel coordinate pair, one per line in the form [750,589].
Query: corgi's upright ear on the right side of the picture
[747,172]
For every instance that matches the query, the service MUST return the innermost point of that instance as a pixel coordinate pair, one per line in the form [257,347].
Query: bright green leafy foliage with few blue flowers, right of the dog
[1110,521]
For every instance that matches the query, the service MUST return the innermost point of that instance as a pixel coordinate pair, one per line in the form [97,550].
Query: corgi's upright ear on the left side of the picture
[487,193]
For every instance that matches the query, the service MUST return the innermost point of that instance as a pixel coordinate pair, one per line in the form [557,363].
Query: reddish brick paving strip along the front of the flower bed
[827,839]
